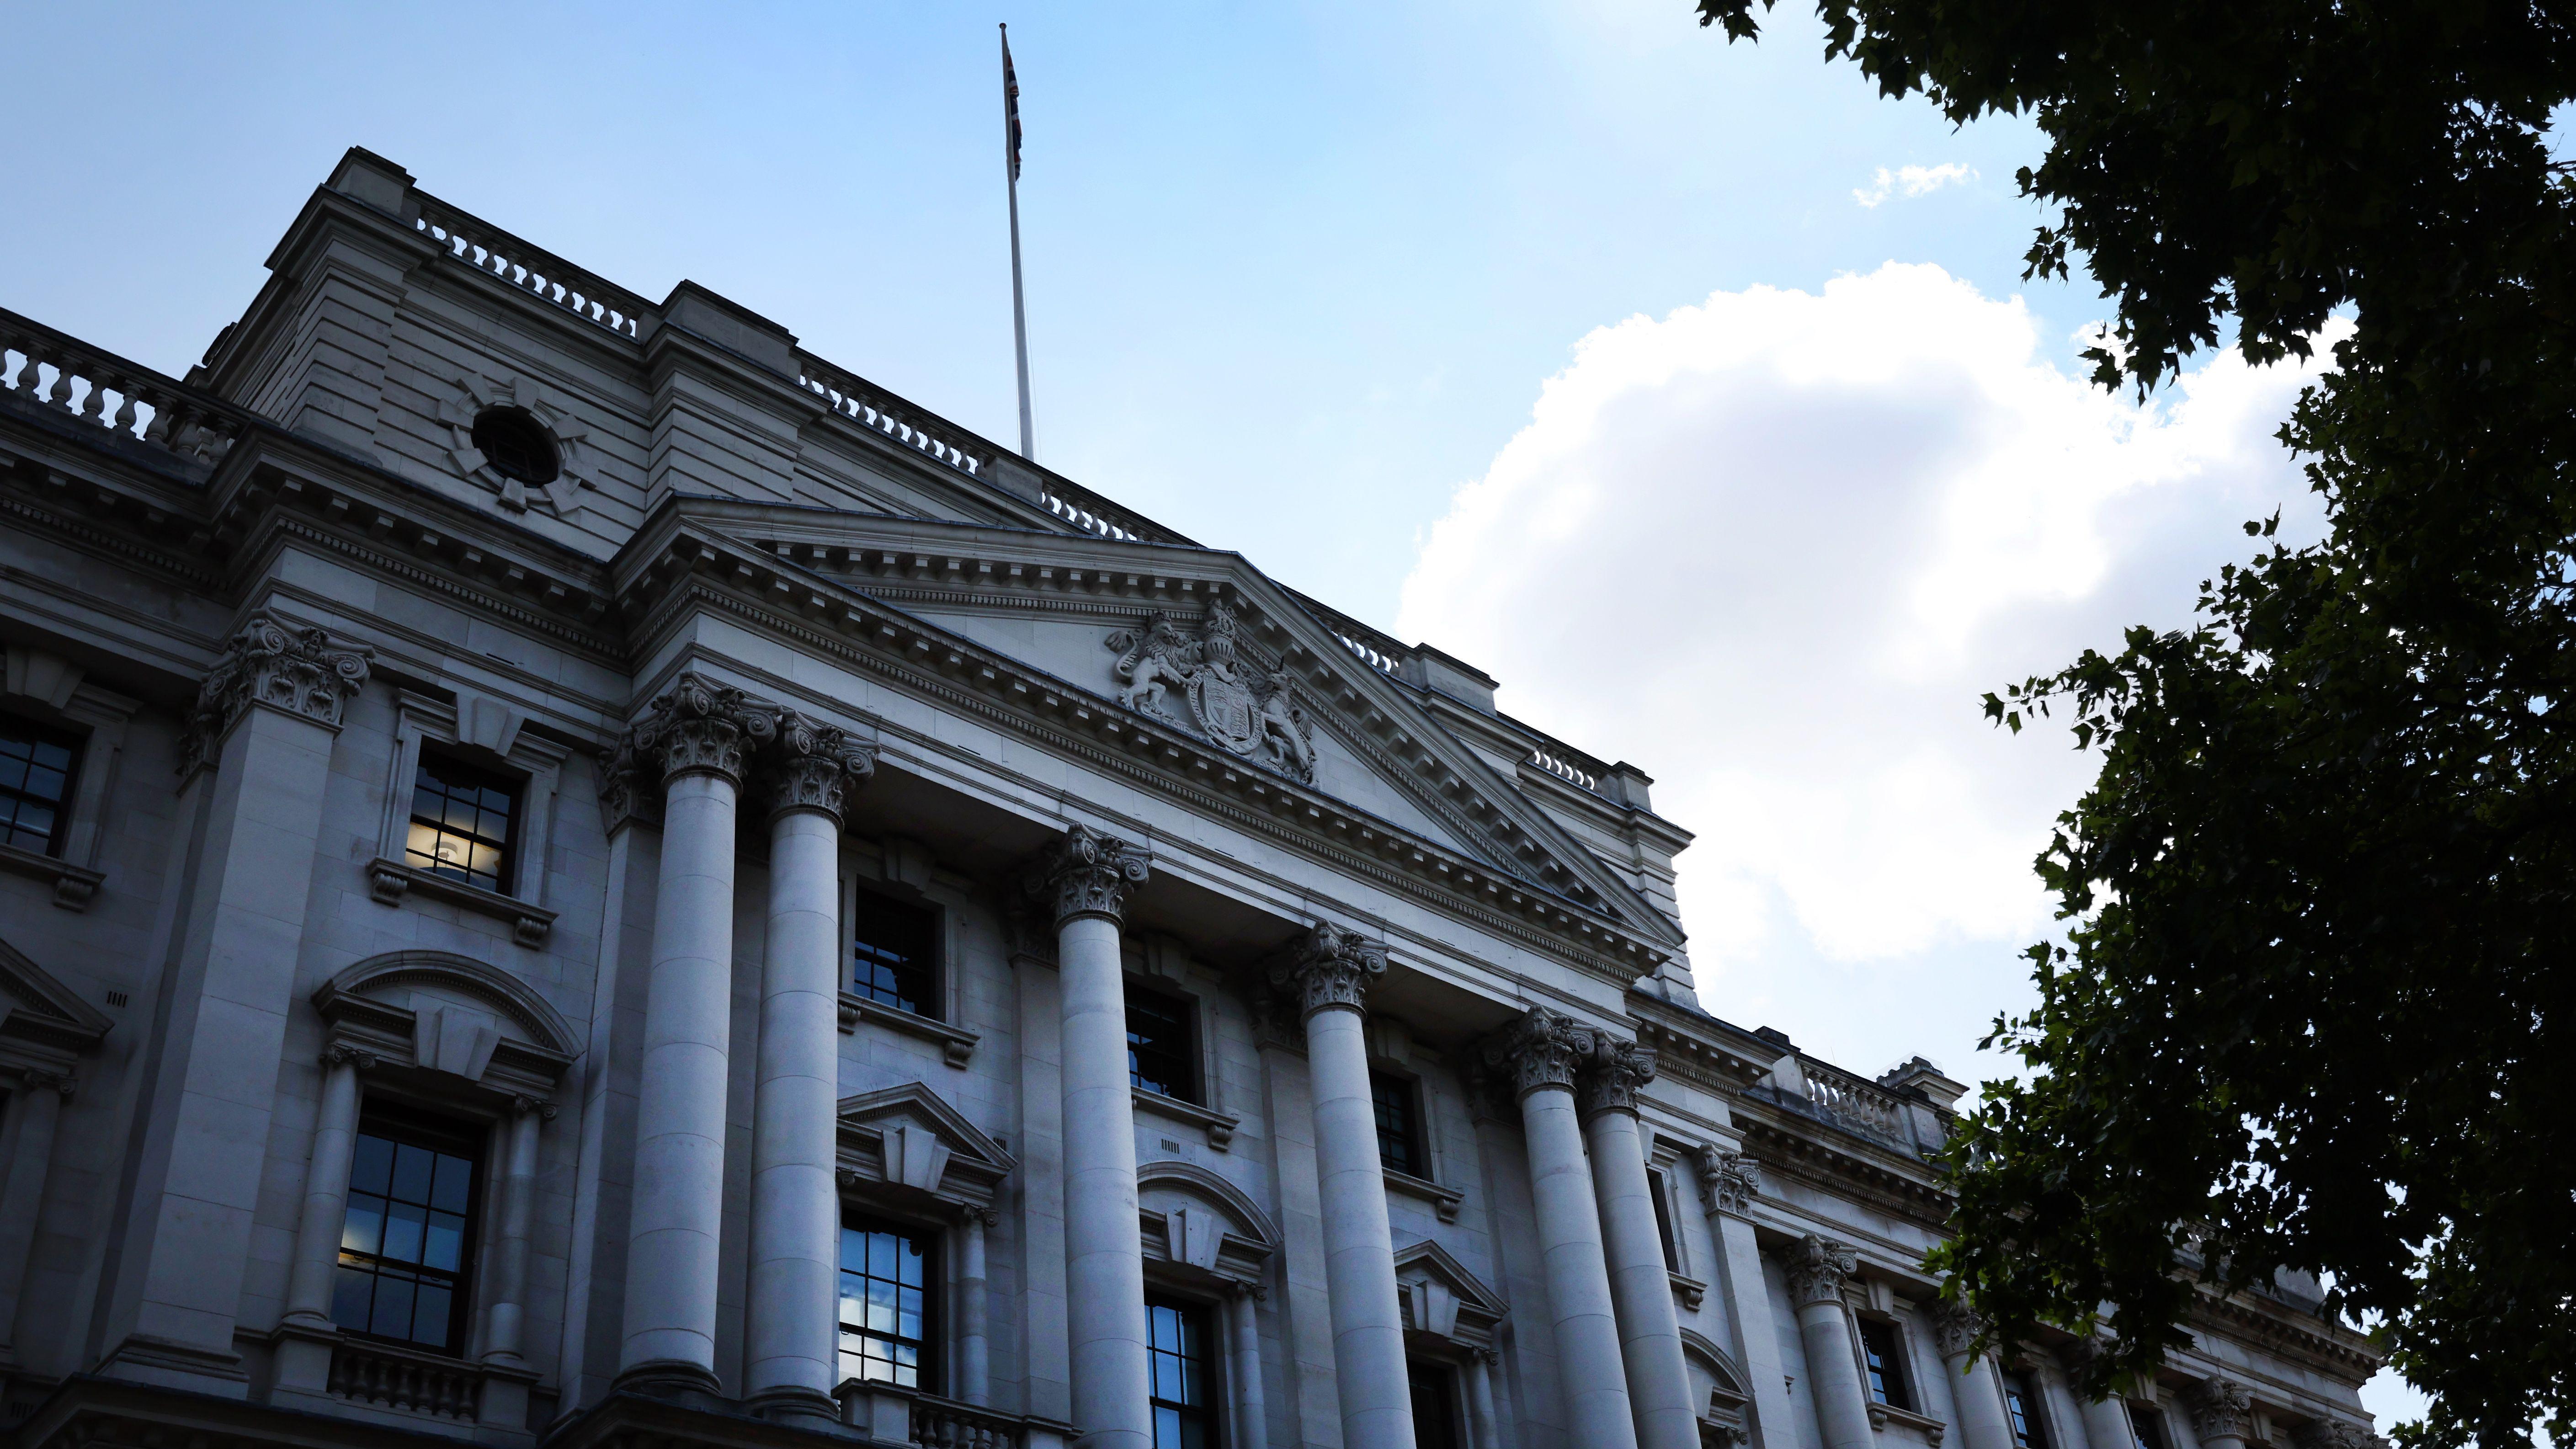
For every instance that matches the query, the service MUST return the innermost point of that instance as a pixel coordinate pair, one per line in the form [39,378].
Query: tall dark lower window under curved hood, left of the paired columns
[408,1239]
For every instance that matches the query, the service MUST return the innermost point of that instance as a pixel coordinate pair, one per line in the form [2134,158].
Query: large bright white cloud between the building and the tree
[1776,548]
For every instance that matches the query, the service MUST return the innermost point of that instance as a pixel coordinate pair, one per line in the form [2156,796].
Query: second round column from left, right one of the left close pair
[792,1350]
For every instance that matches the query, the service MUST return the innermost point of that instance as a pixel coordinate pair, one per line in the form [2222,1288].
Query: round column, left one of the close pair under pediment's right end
[1542,1056]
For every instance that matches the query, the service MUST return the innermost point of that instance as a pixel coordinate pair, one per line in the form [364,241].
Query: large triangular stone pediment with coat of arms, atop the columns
[1132,630]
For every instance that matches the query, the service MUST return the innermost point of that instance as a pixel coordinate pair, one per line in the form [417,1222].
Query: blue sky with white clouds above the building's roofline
[1557,334]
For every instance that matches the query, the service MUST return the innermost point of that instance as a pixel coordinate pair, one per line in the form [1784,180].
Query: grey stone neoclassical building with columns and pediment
[578,875]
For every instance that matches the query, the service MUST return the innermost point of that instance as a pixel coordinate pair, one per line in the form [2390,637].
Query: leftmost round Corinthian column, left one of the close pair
[699,734]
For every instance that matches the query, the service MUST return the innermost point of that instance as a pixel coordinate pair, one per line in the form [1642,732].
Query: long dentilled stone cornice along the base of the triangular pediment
[1114,741]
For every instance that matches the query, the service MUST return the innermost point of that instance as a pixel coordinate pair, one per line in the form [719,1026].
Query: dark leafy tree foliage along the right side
[2315,1004]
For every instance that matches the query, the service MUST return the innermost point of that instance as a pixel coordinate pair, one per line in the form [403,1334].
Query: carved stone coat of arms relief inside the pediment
[1207,682]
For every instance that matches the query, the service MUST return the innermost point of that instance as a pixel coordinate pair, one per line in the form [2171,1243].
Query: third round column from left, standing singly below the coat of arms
[1083,883]
